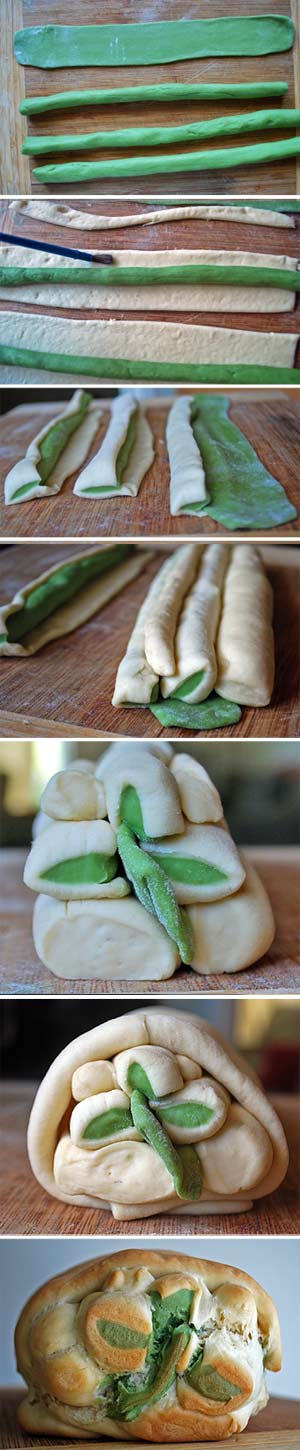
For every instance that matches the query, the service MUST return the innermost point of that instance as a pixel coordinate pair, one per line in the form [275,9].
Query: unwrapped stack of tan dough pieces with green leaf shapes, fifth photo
[137,872]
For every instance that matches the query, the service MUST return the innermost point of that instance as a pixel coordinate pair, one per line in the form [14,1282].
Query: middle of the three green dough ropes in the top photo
[163,136]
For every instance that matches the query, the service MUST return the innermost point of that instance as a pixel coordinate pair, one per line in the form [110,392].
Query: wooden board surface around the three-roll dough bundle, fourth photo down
[70,682]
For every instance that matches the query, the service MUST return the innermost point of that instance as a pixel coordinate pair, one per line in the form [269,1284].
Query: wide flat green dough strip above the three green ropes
[59,46]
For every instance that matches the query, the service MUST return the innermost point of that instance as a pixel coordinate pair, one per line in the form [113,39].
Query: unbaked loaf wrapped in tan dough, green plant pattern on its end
[154,1113]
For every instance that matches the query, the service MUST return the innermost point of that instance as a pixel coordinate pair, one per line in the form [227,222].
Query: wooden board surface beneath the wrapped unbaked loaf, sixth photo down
[28,1210]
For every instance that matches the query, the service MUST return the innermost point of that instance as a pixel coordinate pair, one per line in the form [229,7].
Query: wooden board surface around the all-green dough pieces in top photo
[273,181]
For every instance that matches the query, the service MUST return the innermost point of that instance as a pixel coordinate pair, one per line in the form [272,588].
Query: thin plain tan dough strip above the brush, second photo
[60,215]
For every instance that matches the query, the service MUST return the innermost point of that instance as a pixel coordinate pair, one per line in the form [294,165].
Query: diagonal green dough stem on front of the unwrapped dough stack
[156,892]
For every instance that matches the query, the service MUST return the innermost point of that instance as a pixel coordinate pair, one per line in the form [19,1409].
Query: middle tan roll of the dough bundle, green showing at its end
[198,626]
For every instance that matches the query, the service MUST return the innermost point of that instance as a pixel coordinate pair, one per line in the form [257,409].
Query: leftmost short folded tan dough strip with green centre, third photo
[30,478]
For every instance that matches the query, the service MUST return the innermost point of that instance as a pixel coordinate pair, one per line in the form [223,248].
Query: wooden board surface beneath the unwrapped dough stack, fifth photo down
[22,974]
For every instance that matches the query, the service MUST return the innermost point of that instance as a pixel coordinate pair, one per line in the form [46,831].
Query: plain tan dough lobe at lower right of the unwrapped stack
[234,933]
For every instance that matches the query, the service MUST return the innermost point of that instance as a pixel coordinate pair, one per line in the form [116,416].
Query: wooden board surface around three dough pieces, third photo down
[272,421]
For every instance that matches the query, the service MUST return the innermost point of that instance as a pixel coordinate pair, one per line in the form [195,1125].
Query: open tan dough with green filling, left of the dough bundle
[64,597]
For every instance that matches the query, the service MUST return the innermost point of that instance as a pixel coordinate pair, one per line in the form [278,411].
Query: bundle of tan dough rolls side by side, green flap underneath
[207,624]
